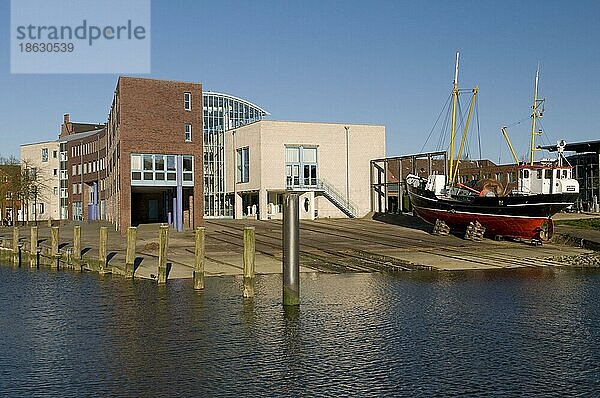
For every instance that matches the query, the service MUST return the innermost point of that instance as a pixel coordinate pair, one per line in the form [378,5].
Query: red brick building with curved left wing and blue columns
[149,153]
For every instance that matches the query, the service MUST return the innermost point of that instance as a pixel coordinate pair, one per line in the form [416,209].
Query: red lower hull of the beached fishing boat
[495,225]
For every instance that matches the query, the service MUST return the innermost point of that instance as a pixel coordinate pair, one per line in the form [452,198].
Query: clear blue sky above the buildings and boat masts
[380,62]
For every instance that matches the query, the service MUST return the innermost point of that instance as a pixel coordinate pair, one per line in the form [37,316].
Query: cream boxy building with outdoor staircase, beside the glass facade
[328,163]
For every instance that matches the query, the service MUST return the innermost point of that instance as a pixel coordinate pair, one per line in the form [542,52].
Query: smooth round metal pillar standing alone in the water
[291,250]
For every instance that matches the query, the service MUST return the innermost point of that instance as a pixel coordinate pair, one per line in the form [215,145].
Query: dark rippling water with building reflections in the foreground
[513,332]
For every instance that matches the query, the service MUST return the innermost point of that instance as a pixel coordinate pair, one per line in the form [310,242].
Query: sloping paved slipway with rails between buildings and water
[386,244]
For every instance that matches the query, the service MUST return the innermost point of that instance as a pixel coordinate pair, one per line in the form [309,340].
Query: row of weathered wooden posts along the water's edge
[74,259]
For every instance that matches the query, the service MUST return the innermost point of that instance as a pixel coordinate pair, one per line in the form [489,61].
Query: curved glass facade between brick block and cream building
[222,112]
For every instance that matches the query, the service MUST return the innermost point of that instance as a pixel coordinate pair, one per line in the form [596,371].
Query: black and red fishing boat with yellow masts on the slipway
[524,212]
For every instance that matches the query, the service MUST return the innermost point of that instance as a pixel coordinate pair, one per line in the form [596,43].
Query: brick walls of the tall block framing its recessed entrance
[148,116]
